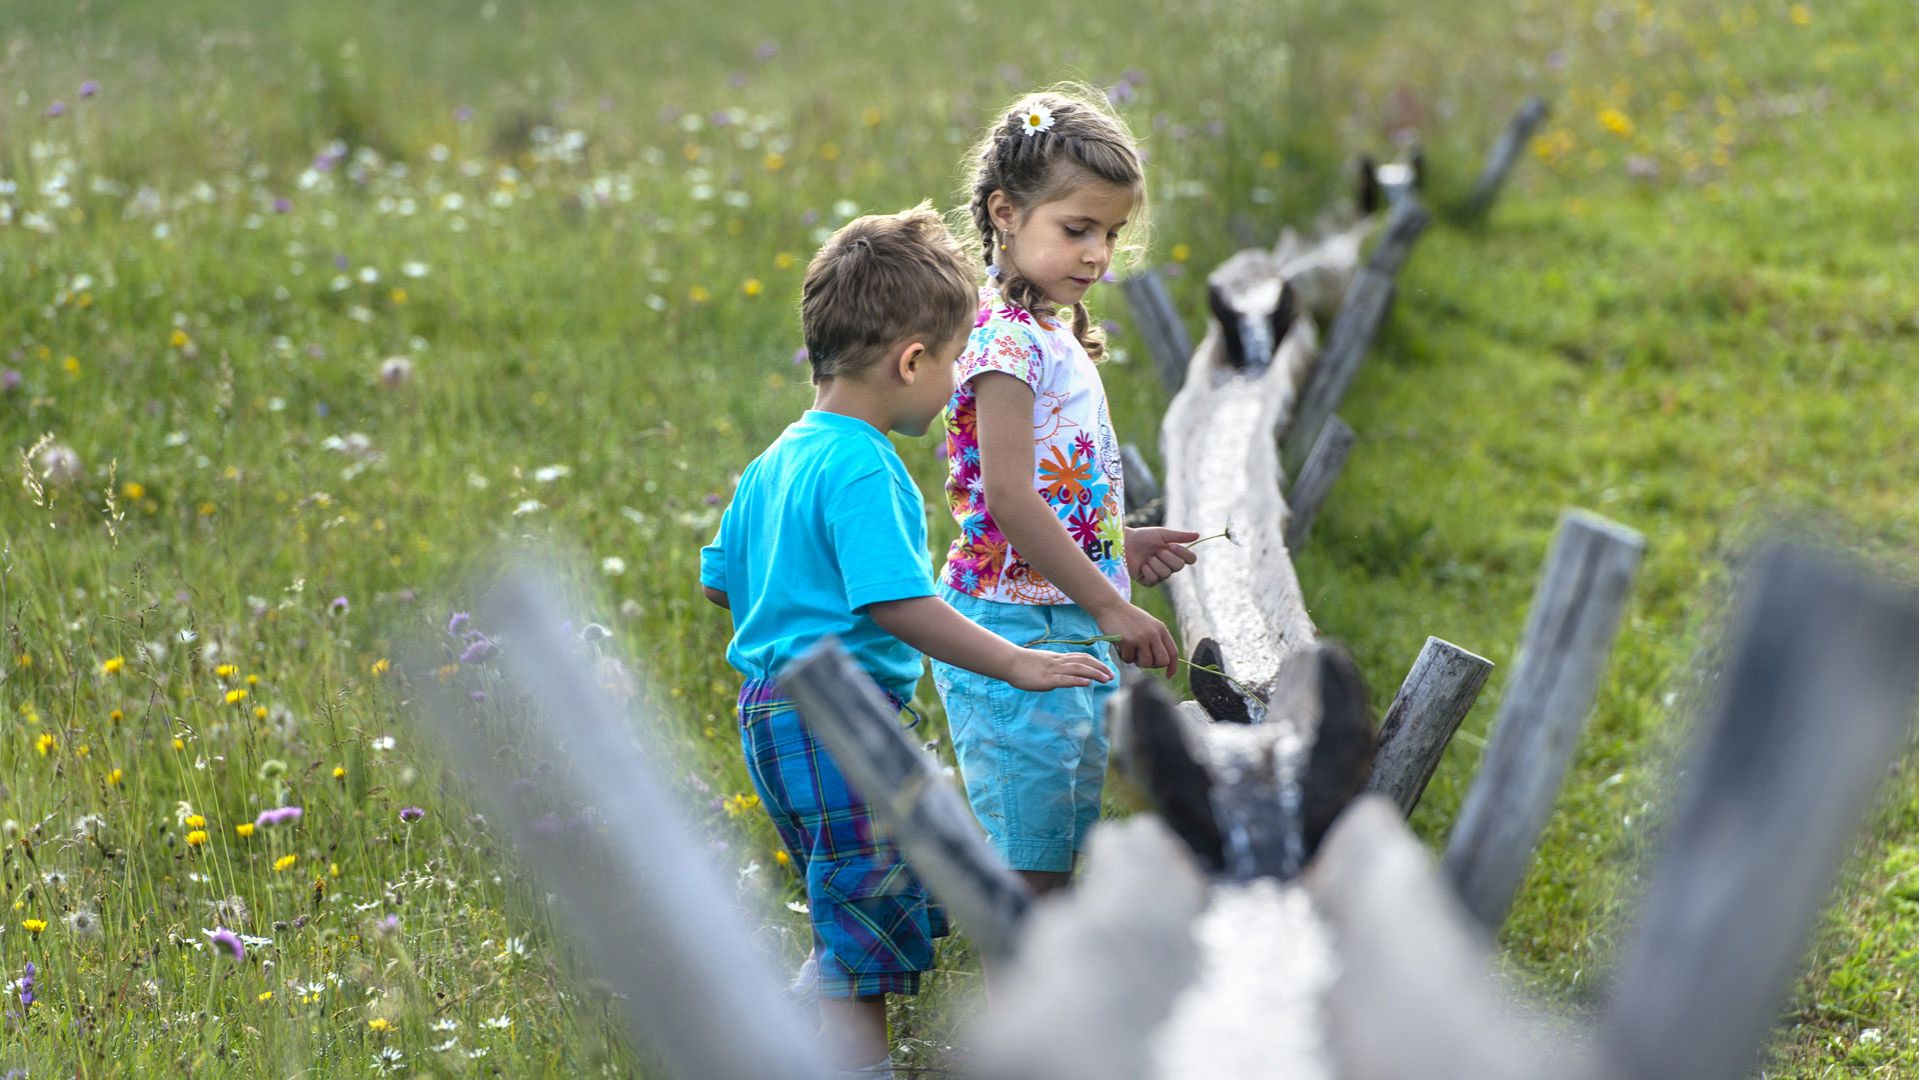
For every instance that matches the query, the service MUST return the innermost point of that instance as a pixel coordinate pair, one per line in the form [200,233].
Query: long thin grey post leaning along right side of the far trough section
[1367,304]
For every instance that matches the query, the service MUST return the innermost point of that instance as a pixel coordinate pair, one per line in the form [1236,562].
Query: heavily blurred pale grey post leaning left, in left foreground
[642,899]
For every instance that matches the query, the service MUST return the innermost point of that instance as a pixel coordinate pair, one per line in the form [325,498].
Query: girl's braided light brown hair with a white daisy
[1087,141]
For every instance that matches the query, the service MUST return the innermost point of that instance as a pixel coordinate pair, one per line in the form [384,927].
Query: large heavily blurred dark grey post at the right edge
[1814,705]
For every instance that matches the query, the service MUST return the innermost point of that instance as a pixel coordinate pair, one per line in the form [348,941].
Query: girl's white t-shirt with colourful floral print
[1076,458]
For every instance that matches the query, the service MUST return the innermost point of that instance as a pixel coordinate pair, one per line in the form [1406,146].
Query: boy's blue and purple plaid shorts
[874,924]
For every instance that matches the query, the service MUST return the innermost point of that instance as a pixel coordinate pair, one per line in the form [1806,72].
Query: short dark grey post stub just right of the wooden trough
[1431,705]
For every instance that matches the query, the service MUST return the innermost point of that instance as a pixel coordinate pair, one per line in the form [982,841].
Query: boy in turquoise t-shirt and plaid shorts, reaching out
[828,536]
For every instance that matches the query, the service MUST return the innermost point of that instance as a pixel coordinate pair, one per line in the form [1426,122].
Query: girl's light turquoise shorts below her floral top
[1033,764]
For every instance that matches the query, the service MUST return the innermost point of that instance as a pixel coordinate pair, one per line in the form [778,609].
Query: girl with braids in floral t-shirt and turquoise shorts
[1035,482]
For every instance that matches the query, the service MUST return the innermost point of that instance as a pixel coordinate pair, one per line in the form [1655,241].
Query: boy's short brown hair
[884,281]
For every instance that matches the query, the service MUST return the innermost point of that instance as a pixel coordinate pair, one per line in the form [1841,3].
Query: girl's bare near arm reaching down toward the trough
[1005,411]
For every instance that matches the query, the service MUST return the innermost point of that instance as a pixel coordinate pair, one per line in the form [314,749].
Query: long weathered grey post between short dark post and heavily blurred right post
[1569,636]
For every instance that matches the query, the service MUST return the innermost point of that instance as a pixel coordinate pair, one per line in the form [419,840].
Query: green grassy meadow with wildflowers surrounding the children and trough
[304,310]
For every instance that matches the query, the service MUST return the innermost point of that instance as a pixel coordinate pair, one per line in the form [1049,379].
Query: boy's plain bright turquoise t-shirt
[822,525]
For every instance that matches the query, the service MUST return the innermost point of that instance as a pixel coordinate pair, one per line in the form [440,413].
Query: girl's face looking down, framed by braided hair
[1066,245]
